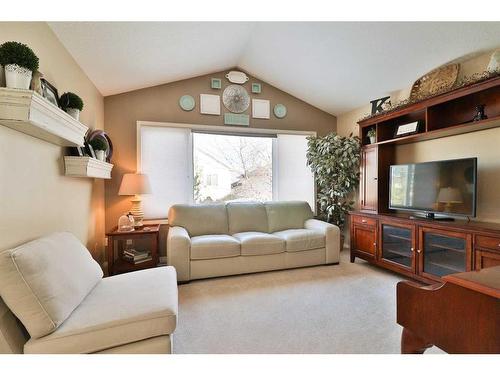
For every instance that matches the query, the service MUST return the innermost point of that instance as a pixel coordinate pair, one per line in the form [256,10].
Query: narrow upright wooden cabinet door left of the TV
[368,188]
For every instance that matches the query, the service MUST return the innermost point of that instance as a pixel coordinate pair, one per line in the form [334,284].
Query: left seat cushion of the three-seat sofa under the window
[214,246]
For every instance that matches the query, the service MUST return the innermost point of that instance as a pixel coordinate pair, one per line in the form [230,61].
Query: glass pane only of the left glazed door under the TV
[397,245]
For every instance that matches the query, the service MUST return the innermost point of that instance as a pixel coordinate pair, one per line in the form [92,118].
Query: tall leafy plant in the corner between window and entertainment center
[335,162]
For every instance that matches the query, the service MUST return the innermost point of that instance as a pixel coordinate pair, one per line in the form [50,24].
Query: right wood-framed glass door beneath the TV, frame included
[442,252]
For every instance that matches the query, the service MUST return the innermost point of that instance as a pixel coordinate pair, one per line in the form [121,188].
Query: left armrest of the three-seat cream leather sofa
[178,252]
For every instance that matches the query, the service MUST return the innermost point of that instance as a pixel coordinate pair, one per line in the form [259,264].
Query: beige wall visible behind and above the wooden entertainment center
[482,144]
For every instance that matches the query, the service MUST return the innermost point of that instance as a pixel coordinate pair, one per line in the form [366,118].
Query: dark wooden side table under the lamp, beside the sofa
[117,244]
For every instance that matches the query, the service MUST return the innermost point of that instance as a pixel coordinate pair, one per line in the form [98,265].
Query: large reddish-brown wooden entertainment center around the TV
[422,249]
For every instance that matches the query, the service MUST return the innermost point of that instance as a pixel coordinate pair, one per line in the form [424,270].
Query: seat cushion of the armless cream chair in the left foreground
[120,310]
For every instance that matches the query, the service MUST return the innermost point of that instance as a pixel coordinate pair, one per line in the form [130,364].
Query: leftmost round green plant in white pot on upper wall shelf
[19,62]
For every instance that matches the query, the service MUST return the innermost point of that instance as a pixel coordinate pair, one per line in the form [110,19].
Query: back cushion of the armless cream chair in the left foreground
[44,280]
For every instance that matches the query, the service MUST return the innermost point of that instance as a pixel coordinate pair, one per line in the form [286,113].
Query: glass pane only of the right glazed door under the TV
[442,254]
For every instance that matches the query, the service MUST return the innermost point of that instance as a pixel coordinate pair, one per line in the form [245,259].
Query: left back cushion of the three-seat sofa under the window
[199,220]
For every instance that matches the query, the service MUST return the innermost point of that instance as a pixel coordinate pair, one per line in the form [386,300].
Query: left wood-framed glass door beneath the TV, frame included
[397,245]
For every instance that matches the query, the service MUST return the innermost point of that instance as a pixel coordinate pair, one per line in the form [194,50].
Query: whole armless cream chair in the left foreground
[63,305]
